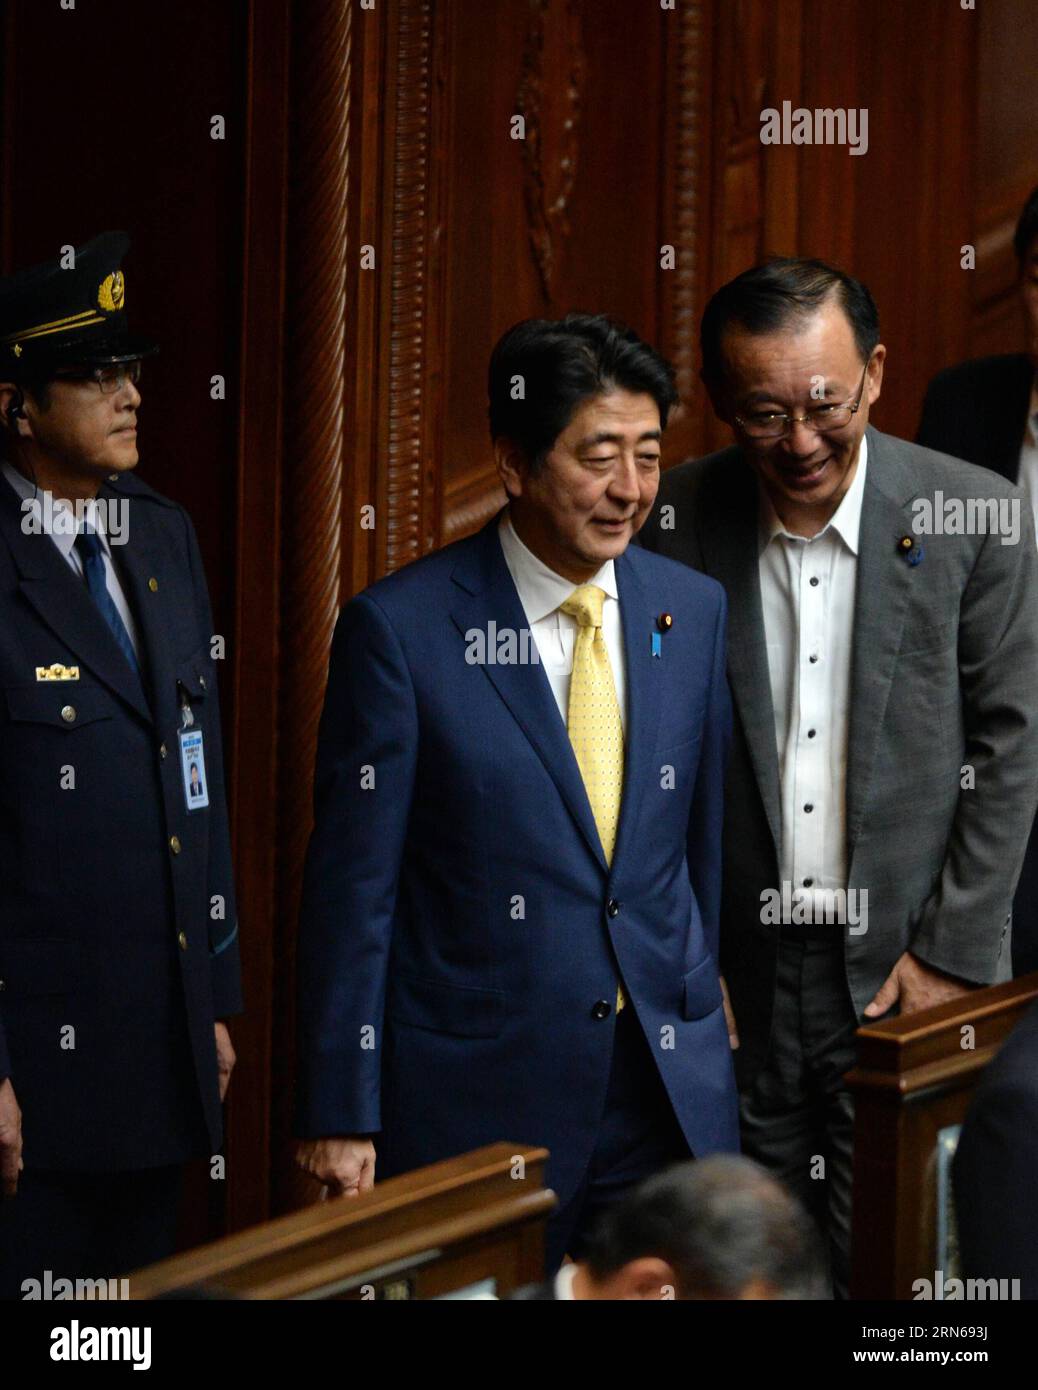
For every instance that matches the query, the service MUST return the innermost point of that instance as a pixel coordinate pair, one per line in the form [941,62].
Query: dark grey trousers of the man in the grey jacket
[798,1118]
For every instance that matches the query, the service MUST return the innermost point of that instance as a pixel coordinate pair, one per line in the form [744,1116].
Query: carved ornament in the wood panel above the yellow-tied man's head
[550,98]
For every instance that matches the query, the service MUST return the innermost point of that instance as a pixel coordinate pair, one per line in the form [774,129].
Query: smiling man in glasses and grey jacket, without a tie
[884,668]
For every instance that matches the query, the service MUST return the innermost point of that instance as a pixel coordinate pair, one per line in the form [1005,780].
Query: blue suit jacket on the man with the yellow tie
[459,918]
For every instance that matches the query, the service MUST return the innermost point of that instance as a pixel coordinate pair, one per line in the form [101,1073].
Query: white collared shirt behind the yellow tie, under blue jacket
[541,591]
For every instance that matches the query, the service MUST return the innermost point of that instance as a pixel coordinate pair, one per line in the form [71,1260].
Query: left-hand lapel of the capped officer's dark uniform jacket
[66,607]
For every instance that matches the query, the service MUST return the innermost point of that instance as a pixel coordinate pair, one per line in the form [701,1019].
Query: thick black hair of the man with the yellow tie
[563,362]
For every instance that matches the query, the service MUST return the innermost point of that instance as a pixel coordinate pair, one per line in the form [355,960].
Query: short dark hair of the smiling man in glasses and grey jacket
[773,295]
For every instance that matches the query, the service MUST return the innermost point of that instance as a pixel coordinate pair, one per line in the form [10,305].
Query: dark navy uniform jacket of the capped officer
[117,908]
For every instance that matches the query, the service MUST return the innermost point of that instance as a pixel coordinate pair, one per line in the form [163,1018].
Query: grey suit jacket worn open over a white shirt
[944,675]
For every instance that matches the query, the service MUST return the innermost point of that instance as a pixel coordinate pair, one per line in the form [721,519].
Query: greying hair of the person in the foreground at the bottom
[719,1223]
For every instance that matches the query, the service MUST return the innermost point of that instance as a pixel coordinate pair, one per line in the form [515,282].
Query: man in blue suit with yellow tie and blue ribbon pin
[509,924]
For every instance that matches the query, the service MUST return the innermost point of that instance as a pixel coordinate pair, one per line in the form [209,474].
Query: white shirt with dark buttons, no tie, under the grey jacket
[808,594]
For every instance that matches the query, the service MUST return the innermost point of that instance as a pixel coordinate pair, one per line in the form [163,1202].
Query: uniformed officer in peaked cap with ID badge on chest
[119,956]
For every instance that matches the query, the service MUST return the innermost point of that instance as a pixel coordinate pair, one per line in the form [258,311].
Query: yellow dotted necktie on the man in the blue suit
[594,722]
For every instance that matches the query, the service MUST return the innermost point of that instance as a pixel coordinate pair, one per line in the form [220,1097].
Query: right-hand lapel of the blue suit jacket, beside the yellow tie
[644,678]
